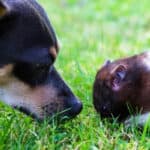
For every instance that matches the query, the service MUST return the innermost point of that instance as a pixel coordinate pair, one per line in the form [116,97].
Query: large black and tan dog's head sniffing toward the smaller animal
[28,49]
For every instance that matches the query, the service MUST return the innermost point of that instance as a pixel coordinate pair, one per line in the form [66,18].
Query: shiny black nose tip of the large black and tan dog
[75,108]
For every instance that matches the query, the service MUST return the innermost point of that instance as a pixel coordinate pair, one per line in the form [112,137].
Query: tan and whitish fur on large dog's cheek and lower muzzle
[41,101]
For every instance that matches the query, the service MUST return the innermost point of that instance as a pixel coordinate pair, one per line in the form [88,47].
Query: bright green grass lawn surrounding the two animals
[89,32]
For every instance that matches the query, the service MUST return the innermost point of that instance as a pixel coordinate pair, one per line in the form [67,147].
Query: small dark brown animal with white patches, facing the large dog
[121,89]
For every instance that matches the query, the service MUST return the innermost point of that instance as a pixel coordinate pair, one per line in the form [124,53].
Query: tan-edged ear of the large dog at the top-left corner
[4,8]
